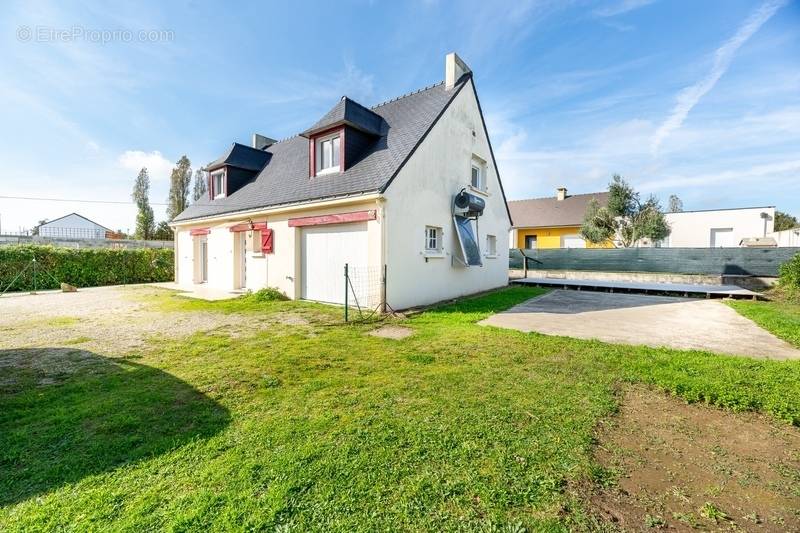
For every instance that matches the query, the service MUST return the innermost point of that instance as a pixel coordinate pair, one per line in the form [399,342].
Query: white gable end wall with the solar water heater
[421,195]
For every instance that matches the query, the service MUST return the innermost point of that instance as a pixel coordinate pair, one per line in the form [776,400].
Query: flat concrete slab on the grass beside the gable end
[658,321]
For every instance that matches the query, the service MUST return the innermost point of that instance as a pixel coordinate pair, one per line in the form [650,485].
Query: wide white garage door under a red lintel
[325,251]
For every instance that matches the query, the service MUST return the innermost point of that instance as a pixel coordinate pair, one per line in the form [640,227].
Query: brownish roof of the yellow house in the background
[547,212]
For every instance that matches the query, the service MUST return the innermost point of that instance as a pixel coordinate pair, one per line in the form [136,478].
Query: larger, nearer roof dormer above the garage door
[340,138]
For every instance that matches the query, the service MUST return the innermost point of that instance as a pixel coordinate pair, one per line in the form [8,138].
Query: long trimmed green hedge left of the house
[83,267]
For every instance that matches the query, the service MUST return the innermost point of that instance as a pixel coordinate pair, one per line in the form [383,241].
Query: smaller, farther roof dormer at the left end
[235,169]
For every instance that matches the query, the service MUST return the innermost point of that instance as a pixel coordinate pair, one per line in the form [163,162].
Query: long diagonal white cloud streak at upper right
[690,96]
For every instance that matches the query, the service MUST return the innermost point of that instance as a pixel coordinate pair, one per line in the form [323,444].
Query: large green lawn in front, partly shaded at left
[321,427]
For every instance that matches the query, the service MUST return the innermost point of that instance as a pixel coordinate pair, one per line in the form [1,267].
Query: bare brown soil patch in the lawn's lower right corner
[691,467]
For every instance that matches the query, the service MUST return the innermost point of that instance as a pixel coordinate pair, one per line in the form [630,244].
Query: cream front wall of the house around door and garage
[280,269]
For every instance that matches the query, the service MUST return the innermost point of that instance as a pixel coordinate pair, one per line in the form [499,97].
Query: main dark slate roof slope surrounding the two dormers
[285,178]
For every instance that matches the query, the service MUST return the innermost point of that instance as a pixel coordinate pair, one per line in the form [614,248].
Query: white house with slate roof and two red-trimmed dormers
[366,187]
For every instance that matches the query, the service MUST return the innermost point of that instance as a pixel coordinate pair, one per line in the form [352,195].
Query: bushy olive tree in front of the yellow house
[625,219]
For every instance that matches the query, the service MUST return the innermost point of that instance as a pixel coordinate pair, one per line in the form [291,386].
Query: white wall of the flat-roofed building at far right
[692,229]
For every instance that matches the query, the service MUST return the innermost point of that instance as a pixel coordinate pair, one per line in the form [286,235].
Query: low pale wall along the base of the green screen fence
[748,282]
